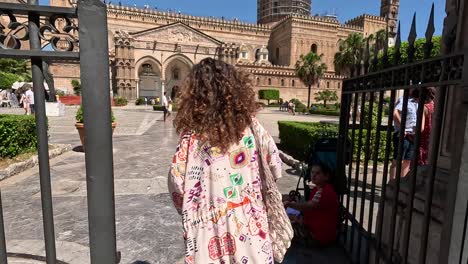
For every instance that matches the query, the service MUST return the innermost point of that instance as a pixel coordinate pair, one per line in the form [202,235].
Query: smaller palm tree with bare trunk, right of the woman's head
[310,69]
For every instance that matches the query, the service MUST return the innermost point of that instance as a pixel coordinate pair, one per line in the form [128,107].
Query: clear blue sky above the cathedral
[345,9]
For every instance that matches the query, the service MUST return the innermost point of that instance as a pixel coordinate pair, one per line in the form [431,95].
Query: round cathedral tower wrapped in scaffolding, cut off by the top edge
[269,11]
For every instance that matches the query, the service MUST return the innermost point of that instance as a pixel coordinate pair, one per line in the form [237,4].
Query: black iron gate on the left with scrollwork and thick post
[56,27]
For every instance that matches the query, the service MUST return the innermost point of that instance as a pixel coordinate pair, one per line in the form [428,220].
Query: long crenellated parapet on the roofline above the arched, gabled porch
[145,14]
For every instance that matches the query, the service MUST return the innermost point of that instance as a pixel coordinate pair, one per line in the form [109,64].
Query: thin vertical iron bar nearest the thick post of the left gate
[43,147]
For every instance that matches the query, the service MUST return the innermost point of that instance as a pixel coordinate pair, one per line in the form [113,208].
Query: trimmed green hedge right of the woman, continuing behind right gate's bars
[297,137]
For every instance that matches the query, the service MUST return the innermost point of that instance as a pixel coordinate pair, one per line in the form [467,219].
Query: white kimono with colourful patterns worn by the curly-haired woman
[219,197]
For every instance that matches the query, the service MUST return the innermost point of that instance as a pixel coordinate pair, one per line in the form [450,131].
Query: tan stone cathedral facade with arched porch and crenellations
[152,51]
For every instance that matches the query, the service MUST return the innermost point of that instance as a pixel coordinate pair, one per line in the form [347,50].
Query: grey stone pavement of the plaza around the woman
[148,227]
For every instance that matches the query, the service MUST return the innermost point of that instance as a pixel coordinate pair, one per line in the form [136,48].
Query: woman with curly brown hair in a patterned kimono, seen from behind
[214,179]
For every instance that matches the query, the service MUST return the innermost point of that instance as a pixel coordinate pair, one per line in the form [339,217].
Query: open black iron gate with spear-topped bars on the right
[380,209]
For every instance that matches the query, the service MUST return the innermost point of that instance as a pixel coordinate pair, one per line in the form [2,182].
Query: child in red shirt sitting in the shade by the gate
[320,213]
